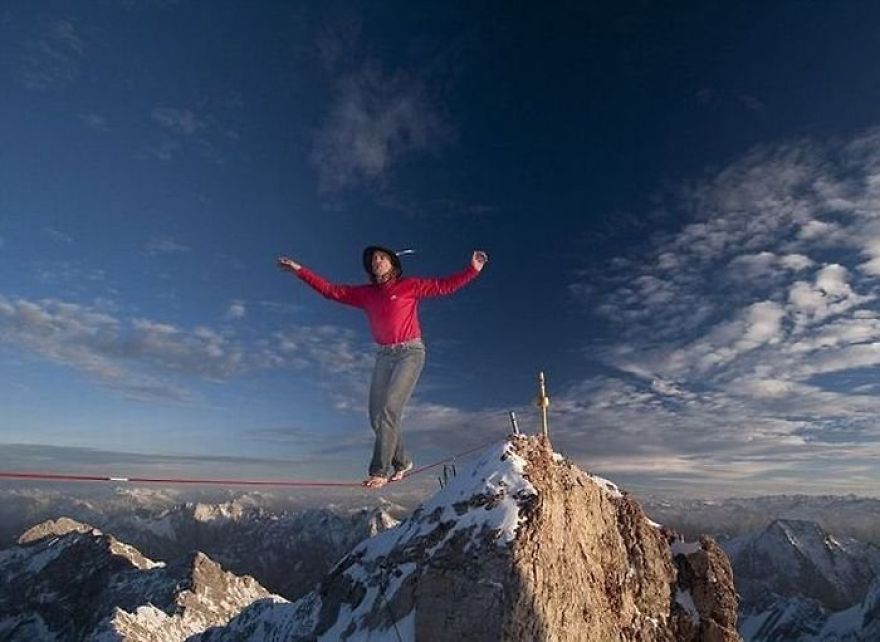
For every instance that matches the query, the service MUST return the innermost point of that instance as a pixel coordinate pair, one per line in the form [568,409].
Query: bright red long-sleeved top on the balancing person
[391,307]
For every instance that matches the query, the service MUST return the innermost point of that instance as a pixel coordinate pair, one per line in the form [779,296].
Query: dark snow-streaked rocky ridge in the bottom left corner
[68,581]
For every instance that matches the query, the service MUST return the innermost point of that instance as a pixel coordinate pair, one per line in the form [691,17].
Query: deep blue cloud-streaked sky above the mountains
[680,203]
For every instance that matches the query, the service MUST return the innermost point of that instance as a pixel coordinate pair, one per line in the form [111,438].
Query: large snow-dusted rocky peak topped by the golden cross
[519,546]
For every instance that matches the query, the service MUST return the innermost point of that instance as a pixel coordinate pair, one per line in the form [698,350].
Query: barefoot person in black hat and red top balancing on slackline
[390,302]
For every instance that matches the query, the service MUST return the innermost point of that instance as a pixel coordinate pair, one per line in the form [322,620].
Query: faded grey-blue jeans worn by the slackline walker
[395,375]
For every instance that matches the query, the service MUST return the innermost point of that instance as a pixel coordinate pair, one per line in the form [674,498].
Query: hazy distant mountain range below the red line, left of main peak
[287,551]
